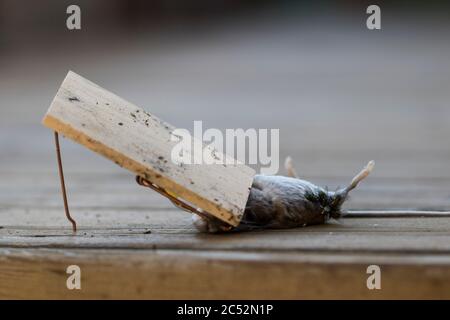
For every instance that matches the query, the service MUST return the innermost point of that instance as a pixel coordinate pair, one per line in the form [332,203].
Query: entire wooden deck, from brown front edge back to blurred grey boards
[339,99]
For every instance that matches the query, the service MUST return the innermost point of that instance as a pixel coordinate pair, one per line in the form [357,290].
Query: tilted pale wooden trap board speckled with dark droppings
[140,142]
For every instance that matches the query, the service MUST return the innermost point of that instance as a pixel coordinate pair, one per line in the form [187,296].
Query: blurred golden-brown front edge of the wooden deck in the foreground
[138,274]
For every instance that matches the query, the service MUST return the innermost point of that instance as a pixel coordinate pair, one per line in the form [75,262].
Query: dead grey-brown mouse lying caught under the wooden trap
[278,202]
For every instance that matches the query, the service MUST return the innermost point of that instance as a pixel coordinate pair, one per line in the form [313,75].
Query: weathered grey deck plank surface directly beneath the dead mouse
[397,235]
